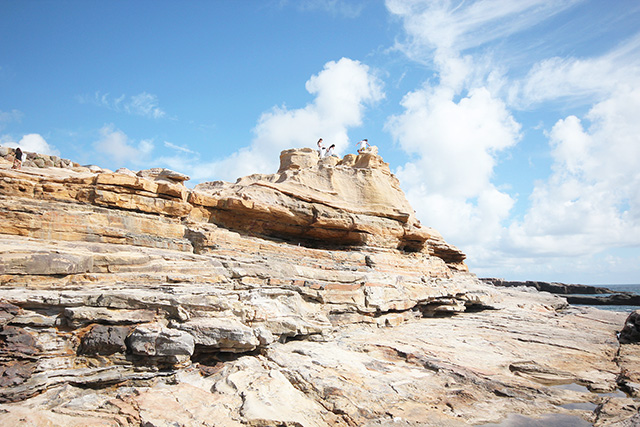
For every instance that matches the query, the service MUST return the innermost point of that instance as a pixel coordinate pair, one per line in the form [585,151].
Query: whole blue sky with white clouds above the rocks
[513,126]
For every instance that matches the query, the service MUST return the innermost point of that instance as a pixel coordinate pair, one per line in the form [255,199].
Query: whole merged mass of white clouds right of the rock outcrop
[456,125]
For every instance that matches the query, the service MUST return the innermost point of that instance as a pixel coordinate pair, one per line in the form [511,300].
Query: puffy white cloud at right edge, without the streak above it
[591,201]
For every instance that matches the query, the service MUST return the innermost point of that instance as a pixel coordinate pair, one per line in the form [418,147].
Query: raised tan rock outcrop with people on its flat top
[354,201]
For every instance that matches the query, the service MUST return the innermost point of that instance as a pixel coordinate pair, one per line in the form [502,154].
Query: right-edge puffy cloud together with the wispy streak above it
[590,203]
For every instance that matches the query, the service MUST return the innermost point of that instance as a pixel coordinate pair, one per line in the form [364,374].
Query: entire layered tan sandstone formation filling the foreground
[309,297]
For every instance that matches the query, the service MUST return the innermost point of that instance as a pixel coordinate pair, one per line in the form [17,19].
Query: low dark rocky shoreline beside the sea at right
[575,293]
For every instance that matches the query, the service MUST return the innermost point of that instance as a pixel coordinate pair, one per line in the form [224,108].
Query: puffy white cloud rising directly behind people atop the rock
[342,91]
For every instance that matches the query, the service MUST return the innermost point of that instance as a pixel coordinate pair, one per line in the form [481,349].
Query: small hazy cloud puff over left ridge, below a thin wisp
[116,145]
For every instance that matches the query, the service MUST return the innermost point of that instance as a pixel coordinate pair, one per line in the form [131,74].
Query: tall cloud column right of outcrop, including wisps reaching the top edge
[456,127]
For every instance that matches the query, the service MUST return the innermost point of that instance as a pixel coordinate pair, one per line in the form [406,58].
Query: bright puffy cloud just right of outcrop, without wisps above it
[455,144]
